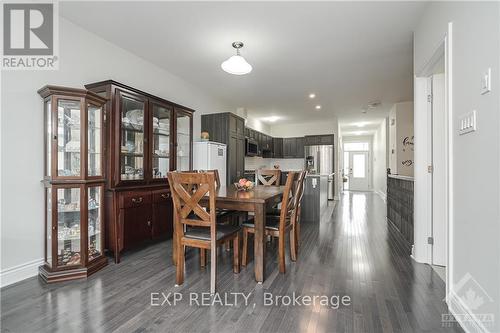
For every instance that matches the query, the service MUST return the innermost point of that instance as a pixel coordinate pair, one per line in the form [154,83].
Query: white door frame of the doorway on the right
[422,251]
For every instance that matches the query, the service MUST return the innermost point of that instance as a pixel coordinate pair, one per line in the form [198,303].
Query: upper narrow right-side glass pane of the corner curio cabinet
[94,140]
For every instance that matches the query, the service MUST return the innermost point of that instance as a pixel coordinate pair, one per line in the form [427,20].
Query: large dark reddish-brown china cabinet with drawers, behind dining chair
[147,137]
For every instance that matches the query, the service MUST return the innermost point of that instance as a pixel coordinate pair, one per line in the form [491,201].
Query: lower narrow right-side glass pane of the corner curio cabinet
[94,198]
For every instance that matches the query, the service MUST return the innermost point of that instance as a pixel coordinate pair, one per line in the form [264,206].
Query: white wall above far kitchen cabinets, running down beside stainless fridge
[315,128]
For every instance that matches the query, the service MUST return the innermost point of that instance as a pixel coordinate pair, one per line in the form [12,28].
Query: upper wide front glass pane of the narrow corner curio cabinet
[68,138]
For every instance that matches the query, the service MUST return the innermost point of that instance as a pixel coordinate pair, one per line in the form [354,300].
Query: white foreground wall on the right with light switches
[475,226]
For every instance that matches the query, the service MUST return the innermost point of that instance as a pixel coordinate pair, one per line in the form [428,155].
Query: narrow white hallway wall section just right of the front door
[379,159]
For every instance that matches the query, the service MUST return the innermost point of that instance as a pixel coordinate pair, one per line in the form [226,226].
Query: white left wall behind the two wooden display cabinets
[84,58]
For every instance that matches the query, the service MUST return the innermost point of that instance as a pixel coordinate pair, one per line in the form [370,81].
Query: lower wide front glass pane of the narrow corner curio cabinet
[68,227]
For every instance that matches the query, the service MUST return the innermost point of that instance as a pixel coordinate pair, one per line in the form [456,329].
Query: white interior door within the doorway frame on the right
[439,171]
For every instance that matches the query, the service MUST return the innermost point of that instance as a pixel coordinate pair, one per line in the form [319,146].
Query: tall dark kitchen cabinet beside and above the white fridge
[228,128]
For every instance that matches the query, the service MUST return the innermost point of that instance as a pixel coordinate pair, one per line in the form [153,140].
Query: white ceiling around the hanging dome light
[348,53]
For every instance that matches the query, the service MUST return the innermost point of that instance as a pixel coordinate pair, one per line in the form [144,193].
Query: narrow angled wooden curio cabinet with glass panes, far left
[74,183]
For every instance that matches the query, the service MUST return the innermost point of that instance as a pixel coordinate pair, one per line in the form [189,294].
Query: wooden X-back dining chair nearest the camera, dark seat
[202,230]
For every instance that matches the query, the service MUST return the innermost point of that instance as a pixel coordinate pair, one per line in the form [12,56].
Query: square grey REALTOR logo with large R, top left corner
[29,37]
